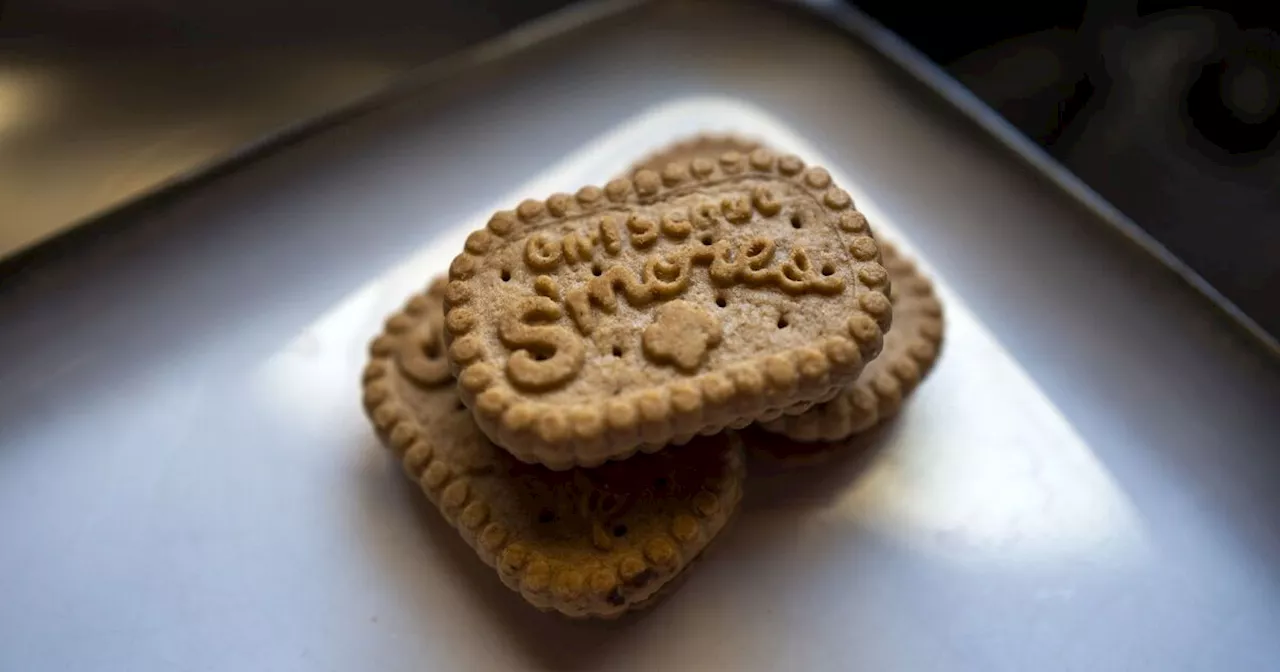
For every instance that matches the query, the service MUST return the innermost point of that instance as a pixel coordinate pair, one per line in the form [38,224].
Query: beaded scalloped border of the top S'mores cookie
[588,435]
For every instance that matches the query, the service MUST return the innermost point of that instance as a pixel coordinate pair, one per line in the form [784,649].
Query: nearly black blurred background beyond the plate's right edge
[1171,111]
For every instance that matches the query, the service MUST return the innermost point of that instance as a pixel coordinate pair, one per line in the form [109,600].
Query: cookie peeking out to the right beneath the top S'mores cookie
[911,351]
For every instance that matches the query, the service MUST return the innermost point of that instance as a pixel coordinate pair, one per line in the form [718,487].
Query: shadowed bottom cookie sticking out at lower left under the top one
[586,543]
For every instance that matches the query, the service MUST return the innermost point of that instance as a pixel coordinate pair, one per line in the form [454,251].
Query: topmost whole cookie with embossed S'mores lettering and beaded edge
[714,294]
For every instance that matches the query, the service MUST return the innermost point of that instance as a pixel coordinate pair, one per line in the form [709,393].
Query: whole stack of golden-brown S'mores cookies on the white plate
[572,397]
